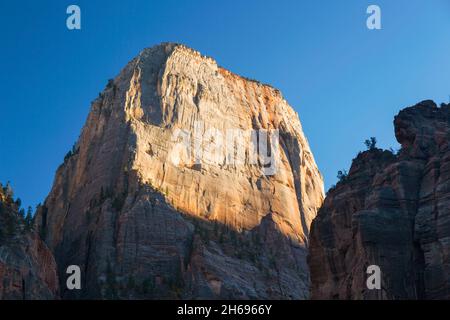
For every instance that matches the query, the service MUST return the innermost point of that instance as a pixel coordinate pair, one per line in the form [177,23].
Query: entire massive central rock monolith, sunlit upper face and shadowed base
[154,203]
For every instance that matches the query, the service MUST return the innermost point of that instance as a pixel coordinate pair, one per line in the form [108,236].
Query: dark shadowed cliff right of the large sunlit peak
[392,211]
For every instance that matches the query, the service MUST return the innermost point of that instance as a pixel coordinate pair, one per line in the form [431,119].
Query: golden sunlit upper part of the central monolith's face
[204,105]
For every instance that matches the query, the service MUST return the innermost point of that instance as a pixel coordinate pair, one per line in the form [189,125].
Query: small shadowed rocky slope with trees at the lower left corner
[27,267]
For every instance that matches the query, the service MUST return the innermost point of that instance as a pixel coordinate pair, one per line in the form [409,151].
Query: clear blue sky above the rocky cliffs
[345,81]
